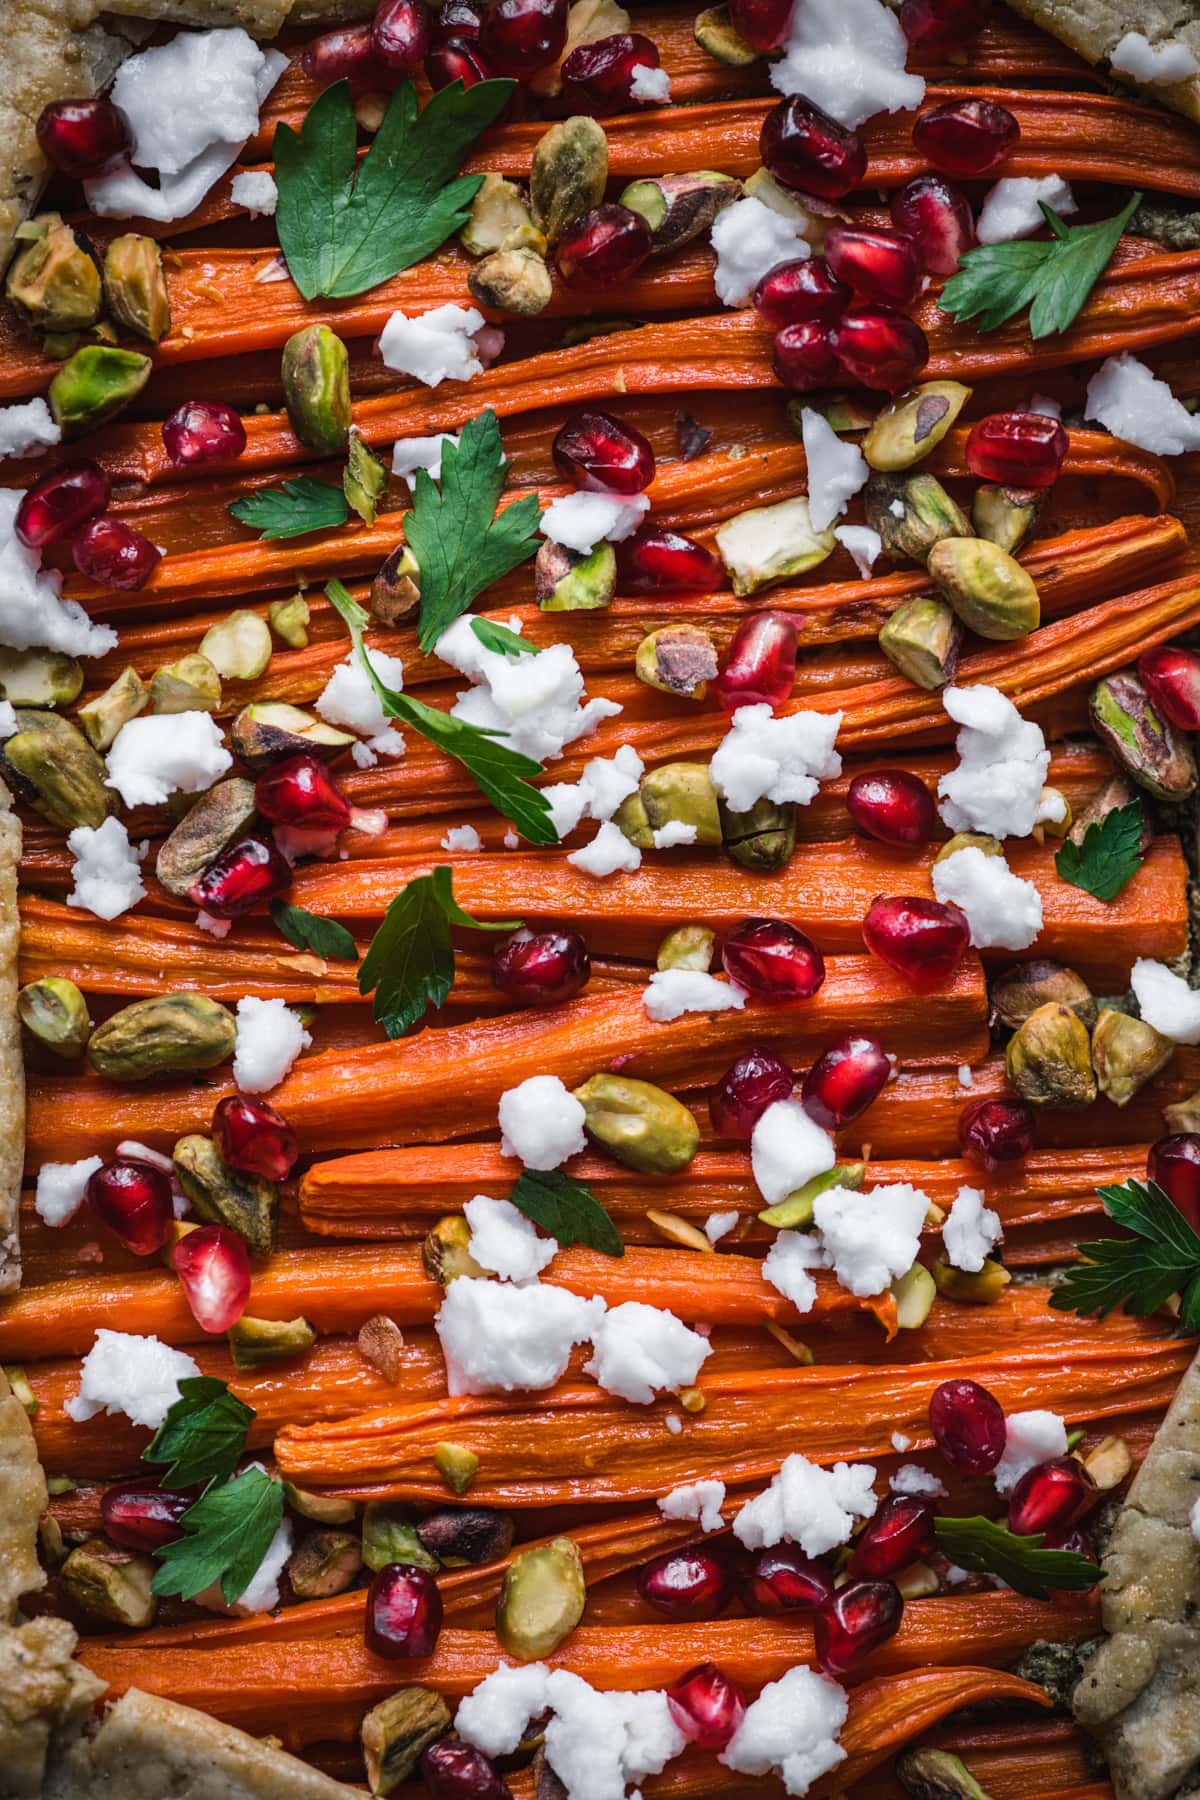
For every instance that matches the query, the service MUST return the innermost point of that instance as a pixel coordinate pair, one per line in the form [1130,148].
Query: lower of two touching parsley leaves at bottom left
[229,1533]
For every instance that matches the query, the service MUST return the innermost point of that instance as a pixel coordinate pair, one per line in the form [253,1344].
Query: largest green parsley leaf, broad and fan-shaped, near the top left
[346,226]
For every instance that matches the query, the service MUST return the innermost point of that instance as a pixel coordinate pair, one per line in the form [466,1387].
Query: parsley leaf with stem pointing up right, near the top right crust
[1053,278]
